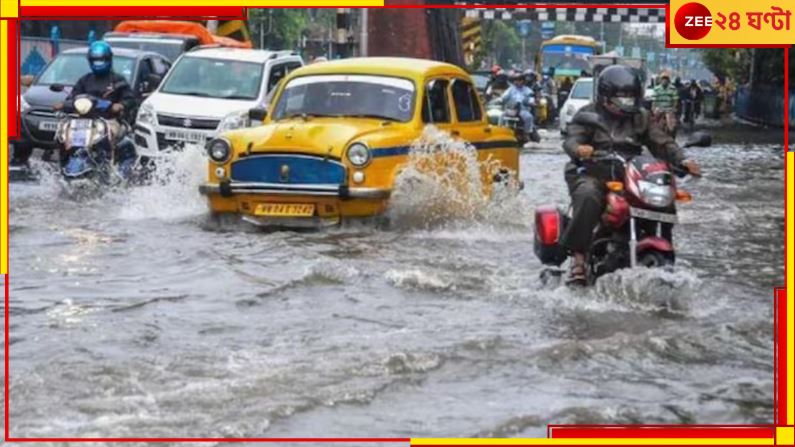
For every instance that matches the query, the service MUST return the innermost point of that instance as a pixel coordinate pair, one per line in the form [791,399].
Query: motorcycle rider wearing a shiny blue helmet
[103,83]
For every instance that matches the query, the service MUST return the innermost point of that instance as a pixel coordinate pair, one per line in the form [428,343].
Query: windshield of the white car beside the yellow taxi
[214,78]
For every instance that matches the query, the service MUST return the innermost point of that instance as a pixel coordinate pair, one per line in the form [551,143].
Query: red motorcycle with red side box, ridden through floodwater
[640,212]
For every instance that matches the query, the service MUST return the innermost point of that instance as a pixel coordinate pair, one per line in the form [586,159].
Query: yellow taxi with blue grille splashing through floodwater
[336,136]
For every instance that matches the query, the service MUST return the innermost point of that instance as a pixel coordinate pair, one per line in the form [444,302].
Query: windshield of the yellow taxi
[380,97]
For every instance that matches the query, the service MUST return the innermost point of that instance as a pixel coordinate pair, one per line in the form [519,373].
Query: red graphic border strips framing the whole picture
[591,431]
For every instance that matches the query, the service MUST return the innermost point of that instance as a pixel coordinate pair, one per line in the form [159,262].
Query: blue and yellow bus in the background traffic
[568,55]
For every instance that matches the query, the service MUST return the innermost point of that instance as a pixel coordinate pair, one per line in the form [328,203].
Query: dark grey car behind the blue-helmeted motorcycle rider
[142,69]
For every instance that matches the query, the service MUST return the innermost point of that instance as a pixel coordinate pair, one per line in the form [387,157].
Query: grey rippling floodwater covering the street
[132,315]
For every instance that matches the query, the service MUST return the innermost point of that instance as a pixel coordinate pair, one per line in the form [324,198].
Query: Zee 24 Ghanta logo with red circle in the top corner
[694,21]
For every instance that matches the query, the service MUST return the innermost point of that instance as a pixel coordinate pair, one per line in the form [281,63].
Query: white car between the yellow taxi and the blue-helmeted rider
[206,92]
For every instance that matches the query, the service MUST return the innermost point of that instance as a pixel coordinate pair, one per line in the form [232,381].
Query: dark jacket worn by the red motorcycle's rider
[630,134]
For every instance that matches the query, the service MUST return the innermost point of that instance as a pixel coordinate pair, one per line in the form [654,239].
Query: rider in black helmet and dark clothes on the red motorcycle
[618,103]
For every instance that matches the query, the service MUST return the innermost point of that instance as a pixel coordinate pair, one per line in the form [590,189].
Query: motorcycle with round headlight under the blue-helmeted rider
[87,147]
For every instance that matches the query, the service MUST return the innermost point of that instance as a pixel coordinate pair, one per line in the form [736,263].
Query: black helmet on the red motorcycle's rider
[619,90]
